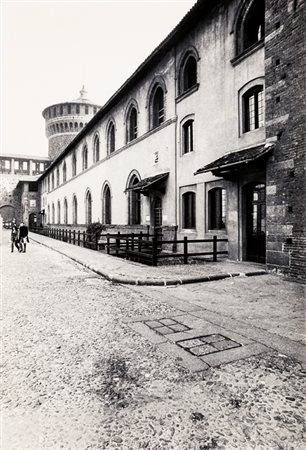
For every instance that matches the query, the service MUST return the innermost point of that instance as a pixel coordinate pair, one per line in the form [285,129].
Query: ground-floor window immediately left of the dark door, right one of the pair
[216,209]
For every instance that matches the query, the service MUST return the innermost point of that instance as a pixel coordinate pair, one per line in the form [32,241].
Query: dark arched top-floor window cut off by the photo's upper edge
[250,26]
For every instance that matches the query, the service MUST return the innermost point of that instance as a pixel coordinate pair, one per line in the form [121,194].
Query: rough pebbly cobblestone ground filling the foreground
[76,376]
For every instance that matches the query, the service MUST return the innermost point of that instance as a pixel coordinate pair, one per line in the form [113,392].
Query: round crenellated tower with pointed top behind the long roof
[65,120]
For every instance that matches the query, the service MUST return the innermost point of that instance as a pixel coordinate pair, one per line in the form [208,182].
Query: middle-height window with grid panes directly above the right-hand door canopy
[253,109]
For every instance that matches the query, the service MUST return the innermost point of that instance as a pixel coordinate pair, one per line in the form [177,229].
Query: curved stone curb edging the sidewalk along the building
[155,282]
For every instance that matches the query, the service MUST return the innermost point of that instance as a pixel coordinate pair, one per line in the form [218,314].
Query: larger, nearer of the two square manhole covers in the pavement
[204,345]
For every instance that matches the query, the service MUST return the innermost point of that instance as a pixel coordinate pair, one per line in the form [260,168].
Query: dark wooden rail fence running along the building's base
[141,247]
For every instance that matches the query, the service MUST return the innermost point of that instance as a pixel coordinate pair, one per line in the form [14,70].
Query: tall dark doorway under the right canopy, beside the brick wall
[256,223]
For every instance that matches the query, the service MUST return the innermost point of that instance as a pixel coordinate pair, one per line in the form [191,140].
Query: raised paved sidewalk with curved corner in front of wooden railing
[119,270]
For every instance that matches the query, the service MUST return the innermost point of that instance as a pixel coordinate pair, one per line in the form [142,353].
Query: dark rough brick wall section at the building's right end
[285,125]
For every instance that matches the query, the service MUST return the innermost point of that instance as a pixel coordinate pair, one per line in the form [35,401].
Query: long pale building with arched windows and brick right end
[207,137]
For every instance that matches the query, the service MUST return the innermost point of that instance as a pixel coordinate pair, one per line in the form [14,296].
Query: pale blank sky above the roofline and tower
[50,49]
